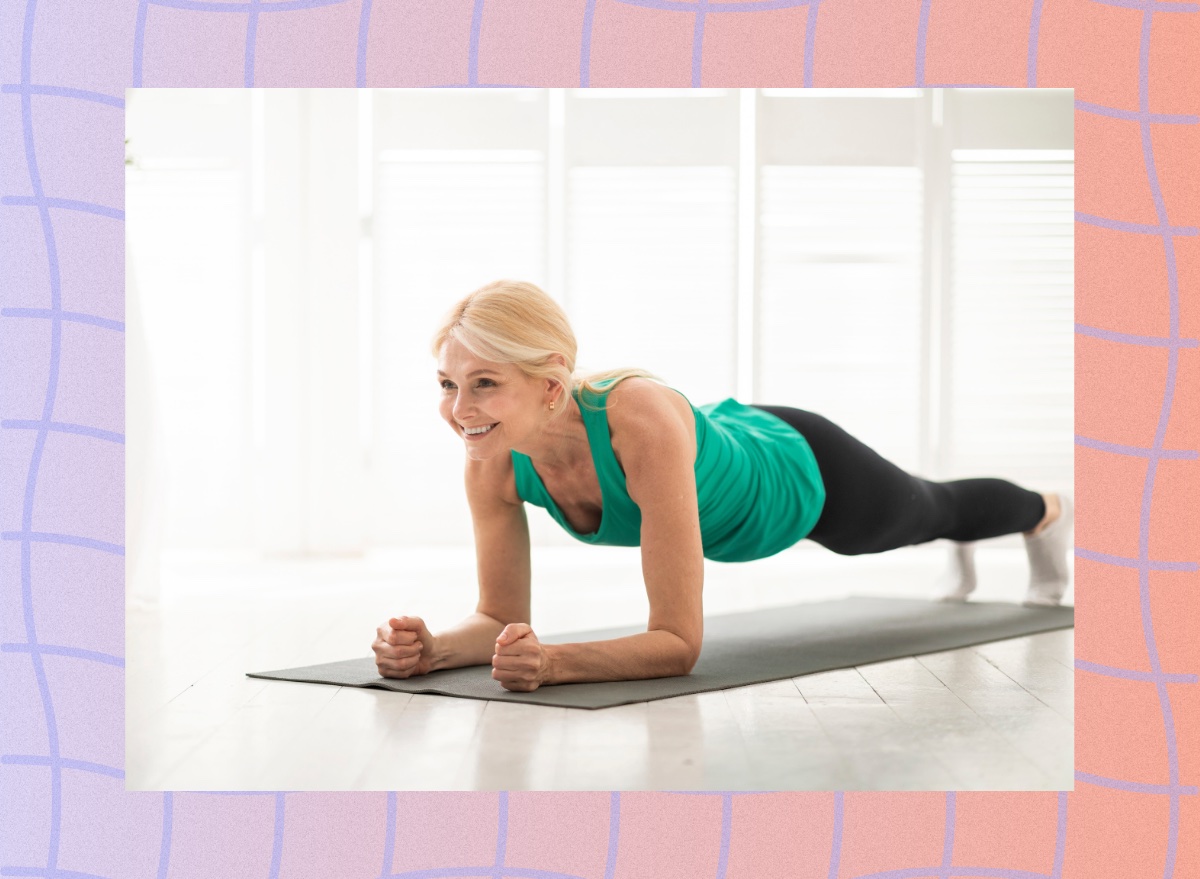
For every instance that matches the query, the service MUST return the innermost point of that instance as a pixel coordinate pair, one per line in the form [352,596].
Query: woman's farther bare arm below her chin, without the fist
[502,559]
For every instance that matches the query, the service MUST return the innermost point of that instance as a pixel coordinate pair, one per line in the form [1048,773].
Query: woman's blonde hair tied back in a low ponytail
[518,322]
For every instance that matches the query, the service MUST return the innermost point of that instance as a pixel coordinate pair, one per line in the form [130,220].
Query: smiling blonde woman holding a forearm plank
[622,459]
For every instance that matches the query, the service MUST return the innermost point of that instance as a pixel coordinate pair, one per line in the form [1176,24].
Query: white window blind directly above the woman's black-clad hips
[841,306]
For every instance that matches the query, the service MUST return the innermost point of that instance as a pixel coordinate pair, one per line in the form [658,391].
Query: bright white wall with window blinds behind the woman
[898,261]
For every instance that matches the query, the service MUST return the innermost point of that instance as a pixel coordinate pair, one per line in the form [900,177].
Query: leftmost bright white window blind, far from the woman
[189,231]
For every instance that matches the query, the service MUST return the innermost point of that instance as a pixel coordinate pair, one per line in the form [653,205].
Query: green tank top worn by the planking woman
[758,483]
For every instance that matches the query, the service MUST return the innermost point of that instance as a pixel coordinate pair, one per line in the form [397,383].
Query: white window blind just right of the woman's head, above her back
[651,273]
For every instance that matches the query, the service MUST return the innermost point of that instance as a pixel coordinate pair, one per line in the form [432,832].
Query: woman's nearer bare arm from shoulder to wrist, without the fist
[658,455]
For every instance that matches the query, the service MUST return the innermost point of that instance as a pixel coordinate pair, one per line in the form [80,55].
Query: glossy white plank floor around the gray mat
[997,716]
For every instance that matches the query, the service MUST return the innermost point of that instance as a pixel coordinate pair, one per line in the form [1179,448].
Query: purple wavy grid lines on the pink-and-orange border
[27,537]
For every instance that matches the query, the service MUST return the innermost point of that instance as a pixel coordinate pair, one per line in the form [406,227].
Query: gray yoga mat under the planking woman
[741,649]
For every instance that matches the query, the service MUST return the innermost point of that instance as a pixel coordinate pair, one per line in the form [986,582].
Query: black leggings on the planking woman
[873,506]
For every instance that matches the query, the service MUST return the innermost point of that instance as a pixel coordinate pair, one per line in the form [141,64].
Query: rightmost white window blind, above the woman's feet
[1011,403]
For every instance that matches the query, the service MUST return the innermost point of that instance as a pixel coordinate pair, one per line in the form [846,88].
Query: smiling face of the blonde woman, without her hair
[497,397]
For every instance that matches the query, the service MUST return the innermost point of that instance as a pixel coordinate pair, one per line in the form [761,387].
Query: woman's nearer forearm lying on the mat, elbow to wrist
[658,654]
